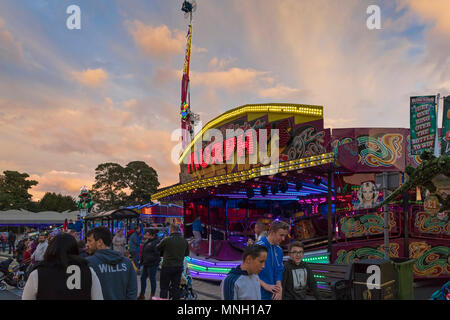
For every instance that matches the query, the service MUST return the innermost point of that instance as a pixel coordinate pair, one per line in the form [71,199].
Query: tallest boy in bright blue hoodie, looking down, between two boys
[272,274]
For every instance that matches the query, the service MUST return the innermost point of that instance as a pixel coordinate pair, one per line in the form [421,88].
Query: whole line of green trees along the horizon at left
[115,187]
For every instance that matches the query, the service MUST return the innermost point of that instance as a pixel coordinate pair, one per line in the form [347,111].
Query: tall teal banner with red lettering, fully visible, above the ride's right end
[423,124]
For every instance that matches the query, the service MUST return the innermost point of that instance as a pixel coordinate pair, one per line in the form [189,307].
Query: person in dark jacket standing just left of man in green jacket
[150,260]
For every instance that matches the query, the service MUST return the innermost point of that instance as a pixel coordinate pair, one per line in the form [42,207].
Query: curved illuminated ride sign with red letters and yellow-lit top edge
[253,136]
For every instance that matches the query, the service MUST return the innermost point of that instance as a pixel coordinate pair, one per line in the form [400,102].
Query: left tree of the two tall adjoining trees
[108,192]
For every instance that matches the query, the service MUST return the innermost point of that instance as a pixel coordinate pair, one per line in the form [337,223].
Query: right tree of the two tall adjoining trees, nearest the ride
[142,181]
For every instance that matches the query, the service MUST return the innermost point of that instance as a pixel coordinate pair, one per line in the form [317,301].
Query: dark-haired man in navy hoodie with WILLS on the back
[115,272]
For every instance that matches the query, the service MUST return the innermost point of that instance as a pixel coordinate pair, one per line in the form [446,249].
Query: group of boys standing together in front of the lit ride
[263,275]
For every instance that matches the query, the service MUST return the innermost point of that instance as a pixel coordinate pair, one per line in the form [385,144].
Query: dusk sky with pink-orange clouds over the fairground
[110,92]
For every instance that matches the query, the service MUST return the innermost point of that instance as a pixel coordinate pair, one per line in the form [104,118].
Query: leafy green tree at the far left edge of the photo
[14,190]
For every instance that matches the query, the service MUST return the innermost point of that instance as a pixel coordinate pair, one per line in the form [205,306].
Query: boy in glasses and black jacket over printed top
[298,277]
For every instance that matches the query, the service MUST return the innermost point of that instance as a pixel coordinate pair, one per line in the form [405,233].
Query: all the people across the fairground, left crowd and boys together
[106,266]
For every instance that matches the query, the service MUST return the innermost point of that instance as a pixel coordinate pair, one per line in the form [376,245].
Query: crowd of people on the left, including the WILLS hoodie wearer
[103,267]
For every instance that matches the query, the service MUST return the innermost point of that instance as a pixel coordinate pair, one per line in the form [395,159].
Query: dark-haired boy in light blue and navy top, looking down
[242,282]
